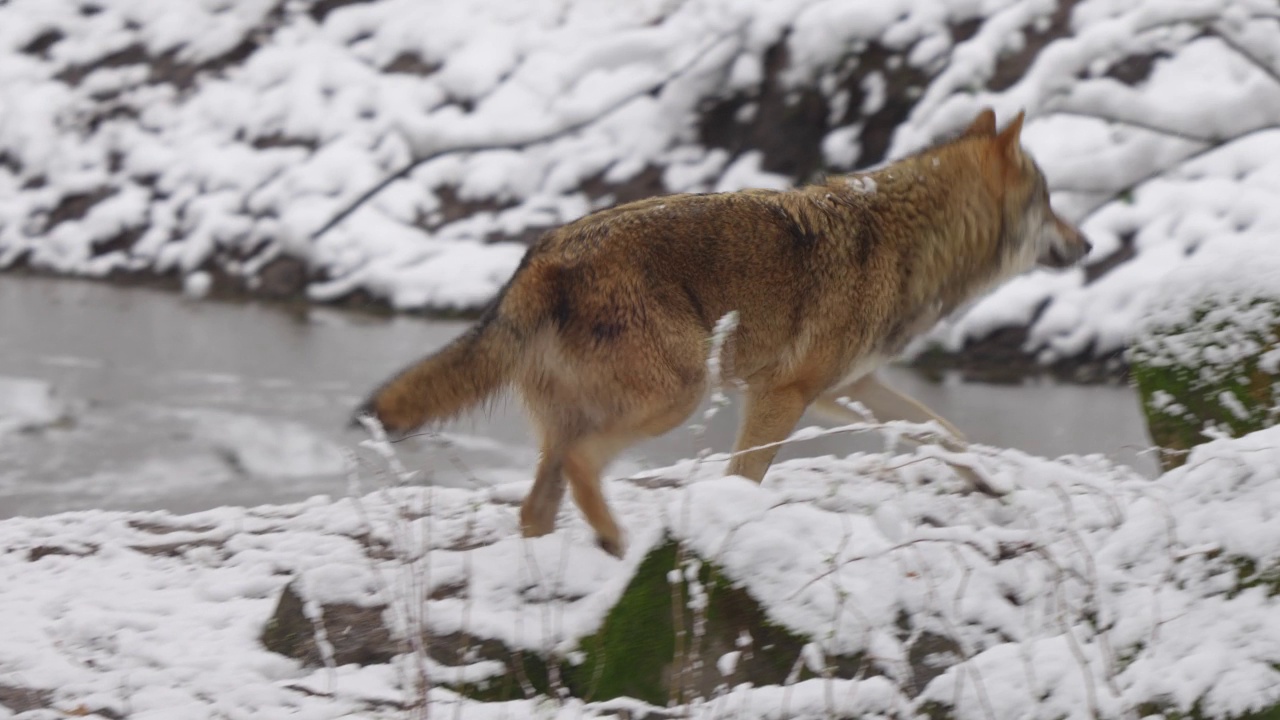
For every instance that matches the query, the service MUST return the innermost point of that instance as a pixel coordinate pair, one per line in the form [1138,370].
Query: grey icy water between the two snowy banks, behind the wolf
[167,403]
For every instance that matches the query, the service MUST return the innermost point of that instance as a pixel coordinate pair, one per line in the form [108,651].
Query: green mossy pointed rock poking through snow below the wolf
[648,651]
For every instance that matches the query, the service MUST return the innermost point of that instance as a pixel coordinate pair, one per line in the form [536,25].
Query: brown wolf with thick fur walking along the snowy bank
[605,327]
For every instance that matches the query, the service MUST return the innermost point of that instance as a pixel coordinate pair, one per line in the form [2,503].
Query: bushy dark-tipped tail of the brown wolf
[463,375]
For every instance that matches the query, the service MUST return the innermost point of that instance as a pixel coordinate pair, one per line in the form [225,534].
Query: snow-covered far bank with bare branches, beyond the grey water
[184,138]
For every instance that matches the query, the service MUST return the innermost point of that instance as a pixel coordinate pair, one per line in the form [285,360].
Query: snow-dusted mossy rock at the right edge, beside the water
[1209,366]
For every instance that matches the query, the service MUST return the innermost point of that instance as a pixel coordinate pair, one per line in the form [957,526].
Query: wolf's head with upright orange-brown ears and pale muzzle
[1034,234]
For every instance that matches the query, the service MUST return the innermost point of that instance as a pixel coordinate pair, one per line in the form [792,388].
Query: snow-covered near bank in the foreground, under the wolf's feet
[1084,591]
